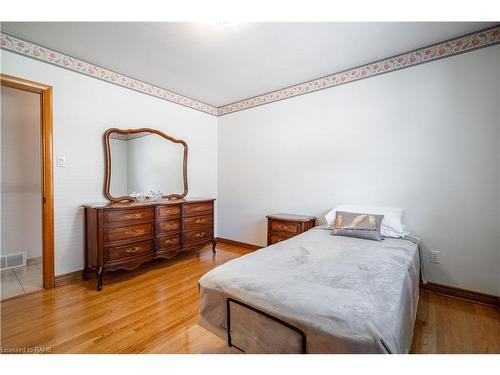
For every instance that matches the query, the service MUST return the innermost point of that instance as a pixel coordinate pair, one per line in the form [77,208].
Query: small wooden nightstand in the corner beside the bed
[284,226]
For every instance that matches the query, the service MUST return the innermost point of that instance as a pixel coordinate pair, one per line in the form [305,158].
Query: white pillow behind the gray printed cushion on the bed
[392,223]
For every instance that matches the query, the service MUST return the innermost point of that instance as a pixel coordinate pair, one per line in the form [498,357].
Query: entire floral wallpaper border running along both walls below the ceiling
[452,47]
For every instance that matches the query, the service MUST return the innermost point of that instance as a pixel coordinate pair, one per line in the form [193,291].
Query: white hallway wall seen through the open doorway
[21,179]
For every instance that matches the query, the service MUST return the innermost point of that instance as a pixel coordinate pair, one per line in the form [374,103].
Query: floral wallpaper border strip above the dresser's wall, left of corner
[37,52]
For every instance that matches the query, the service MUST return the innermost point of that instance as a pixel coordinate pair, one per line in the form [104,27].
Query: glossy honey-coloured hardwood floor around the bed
[154,309]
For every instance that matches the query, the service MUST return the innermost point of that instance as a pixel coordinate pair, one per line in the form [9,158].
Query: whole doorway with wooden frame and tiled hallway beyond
[27,187]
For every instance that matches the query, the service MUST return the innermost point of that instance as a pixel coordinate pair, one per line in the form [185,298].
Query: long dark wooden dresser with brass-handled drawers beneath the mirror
[125,235]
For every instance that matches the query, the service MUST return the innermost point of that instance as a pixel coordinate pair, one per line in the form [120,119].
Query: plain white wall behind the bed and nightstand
[424,138]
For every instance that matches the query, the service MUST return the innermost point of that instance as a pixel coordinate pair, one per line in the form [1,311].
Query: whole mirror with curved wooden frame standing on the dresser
[141,161]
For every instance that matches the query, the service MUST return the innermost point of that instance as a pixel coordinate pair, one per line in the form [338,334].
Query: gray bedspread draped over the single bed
[348,295]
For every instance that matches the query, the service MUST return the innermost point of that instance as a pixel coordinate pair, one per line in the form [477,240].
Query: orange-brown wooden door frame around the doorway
[45,93]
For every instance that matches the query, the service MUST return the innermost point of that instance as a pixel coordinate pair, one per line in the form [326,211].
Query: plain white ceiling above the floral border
[222,63]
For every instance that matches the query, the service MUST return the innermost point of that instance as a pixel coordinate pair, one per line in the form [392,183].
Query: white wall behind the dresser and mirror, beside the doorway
[83,109]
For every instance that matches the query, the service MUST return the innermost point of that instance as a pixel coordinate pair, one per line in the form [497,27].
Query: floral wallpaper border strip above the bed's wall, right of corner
[466,43]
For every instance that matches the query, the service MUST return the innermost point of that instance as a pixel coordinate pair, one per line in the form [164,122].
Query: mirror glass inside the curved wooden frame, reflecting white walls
[144,163]
